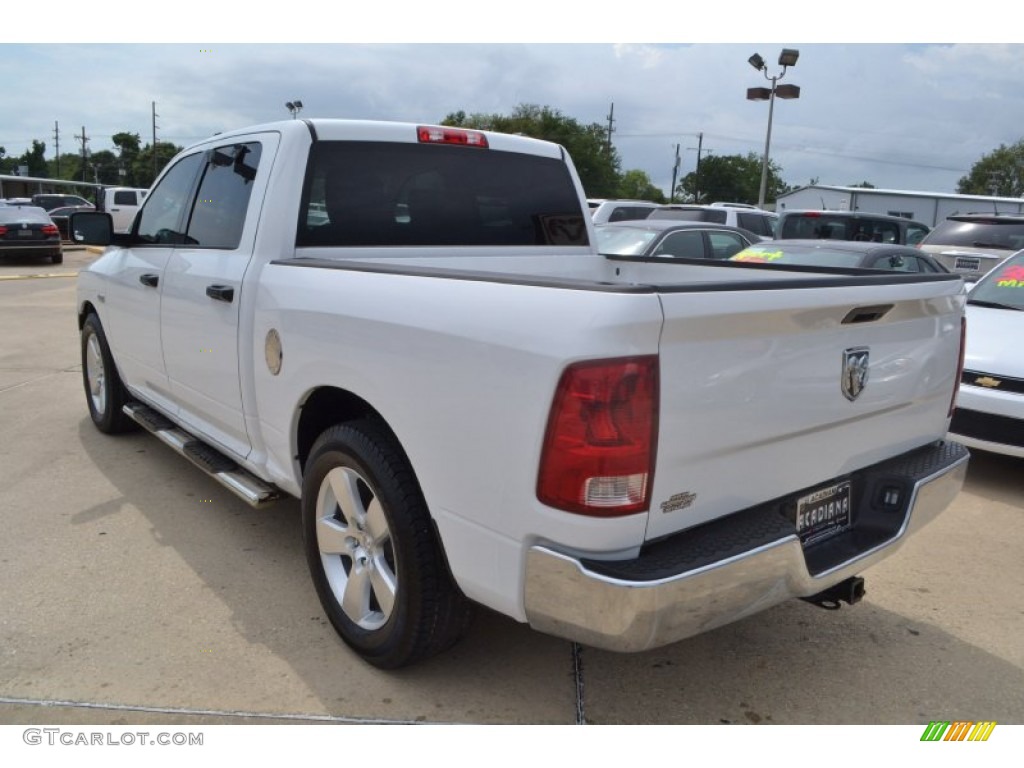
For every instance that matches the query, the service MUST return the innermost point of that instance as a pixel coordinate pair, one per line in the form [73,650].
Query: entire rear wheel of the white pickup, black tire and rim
[373,552]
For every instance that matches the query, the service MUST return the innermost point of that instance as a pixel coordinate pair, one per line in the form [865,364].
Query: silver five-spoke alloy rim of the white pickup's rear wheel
[356,548]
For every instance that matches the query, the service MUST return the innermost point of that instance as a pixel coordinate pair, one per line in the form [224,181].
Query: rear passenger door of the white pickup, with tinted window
[203,292]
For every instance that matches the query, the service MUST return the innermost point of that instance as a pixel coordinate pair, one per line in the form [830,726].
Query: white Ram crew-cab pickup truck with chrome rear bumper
[410,329]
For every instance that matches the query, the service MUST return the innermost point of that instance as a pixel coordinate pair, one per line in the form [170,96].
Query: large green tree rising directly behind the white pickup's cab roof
[595,161]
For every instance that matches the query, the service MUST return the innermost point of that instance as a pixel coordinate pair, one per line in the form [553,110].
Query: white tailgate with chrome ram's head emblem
[754,405]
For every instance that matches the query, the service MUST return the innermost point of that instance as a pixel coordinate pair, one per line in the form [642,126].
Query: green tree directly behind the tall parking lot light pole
[734,179]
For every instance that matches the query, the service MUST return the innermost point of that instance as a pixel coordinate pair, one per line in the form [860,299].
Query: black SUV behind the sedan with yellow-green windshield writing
[857,226]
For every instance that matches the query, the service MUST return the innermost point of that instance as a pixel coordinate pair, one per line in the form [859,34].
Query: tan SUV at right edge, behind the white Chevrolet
[971,244]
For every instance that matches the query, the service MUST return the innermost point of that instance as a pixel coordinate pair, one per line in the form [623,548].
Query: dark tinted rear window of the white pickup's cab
[386,194]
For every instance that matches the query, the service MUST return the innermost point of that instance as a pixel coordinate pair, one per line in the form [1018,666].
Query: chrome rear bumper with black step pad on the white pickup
[648,603]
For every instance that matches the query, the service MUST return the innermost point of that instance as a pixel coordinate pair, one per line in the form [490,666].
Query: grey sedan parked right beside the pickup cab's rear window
[669,239]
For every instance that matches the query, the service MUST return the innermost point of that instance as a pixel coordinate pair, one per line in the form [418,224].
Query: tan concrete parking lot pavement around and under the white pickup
[138,591]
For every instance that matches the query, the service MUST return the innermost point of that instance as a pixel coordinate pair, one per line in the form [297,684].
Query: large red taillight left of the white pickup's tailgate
[599,454]
